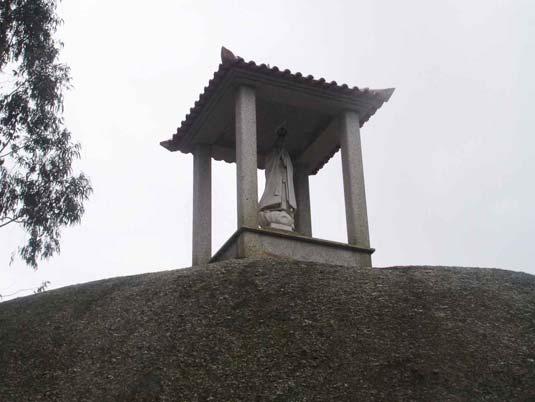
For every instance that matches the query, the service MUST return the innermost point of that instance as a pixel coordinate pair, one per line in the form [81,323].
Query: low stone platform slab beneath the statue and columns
[255,242]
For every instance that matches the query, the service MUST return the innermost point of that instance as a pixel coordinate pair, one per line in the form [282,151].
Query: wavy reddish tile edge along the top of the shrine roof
[229,61]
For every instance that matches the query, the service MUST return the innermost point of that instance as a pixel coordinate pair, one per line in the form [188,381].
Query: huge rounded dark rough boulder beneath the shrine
[269,329]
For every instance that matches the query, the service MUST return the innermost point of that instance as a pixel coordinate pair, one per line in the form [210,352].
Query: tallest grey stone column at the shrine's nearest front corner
[246,157]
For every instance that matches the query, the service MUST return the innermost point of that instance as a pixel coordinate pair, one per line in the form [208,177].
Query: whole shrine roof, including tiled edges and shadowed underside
[308,107]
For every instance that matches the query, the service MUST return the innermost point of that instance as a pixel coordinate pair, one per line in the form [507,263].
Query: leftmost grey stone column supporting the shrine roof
[202,205]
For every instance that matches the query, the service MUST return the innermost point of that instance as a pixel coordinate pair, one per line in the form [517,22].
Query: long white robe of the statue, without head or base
[279,193]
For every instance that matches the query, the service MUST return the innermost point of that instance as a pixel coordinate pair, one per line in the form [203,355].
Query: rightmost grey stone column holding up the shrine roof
[353,173]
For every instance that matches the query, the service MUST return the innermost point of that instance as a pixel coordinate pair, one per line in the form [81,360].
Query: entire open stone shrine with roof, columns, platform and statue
[262,117]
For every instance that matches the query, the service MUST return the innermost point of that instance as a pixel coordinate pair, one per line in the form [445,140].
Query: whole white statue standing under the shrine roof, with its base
[278,205]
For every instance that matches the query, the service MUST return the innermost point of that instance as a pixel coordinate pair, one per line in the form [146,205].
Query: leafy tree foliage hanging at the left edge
[38,188]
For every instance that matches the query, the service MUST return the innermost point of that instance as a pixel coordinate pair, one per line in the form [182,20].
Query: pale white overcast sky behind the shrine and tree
[449,162]
